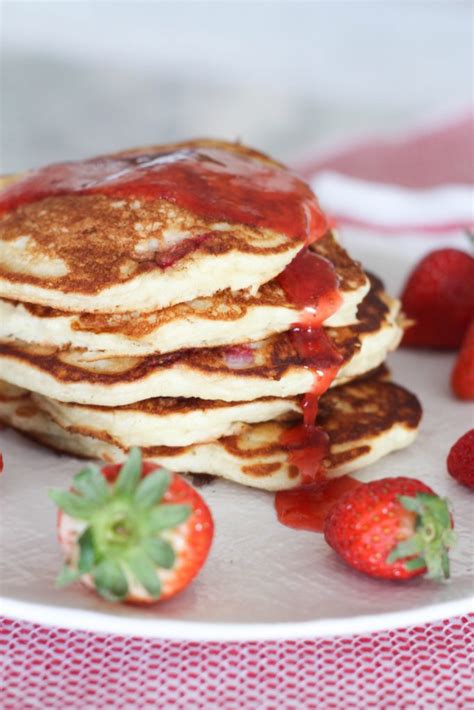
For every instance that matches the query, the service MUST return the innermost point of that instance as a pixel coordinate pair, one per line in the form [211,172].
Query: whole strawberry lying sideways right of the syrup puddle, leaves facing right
[394,528]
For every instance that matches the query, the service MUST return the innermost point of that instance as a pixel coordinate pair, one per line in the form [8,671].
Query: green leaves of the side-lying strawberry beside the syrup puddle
[429,545]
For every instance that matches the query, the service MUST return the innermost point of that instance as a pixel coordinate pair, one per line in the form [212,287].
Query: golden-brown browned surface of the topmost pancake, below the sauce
[102,240]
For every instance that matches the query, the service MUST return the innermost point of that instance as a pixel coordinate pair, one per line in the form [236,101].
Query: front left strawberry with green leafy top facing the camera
[133,532]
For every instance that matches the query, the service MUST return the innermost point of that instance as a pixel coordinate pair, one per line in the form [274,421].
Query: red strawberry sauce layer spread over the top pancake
[216,184]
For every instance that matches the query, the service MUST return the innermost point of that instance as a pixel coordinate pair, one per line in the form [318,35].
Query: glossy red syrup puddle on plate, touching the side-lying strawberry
[306,508]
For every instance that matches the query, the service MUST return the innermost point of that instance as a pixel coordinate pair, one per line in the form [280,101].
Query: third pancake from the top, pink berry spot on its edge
[269,368]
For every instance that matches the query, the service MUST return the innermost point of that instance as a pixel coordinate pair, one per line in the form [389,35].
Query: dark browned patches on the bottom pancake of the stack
[355,416]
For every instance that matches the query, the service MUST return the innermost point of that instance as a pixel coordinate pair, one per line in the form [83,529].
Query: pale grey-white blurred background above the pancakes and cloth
[293,77]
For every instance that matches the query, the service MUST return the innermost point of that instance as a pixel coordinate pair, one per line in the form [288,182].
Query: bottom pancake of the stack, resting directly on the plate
[365,421]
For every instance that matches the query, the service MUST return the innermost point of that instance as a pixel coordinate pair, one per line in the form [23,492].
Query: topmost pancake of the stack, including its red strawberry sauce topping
[148,228]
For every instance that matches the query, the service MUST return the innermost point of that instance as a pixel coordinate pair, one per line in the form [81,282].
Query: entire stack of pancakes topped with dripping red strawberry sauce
[144,301]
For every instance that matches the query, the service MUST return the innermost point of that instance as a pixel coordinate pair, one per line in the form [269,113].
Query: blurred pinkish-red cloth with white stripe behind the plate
[420,184]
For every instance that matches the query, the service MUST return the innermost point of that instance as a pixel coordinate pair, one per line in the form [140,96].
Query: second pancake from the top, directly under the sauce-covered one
[225,318]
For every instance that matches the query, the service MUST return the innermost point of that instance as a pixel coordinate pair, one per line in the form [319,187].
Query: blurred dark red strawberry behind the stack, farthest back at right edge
[439,297]
